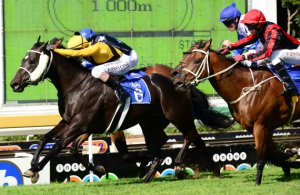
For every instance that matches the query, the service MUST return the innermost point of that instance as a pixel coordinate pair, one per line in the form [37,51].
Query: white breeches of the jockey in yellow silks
[118,67]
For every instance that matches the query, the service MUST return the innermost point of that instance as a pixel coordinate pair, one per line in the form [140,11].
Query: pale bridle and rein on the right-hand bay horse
[204,65]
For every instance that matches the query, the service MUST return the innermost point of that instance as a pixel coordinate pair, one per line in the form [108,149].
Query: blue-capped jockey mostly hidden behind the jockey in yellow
[92,37]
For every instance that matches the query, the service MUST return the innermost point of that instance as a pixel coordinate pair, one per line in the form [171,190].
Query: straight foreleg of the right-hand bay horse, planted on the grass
[263,144]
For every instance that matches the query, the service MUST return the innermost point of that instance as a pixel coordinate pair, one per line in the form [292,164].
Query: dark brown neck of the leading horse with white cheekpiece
[65,73]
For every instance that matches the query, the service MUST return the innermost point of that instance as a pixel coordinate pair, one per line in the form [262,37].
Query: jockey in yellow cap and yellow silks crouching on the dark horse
[109,60]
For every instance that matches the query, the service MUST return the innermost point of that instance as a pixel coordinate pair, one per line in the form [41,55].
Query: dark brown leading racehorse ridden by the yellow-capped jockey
[87,106]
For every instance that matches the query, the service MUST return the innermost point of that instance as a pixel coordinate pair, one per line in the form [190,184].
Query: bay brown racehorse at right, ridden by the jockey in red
[253,97]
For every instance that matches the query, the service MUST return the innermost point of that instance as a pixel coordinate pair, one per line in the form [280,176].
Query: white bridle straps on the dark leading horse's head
[45,70]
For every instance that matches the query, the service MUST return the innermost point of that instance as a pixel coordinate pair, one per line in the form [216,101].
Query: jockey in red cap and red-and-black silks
[278,46]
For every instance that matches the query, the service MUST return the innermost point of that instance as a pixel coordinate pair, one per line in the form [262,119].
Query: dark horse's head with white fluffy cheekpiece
[33,67]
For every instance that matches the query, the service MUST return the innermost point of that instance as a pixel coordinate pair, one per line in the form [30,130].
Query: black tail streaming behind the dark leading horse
[204,112]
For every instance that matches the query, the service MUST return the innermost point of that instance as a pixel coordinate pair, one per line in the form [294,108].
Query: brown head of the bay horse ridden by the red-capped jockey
[193,67]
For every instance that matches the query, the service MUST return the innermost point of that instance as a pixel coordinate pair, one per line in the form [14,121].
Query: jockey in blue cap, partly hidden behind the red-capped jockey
[230,17]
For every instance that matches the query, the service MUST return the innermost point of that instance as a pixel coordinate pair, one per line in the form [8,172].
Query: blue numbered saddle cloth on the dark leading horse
[138,90]
